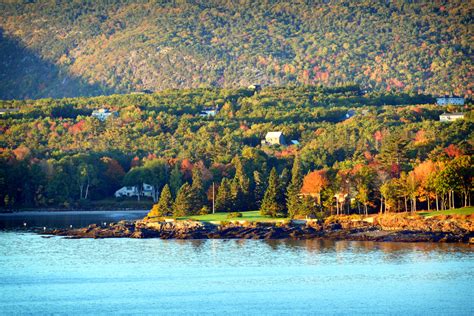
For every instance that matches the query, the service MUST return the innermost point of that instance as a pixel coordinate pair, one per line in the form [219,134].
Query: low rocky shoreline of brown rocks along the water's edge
[380,228]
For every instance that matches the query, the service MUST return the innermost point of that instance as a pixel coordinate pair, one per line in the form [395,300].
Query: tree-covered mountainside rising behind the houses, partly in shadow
[85,48]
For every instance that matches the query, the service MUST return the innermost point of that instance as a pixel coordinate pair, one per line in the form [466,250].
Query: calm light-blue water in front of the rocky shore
[248,277]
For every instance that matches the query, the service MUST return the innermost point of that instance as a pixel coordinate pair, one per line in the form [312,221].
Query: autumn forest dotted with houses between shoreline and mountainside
[356,151]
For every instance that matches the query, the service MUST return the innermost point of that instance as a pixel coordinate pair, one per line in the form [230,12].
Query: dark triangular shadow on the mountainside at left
[25,75]
